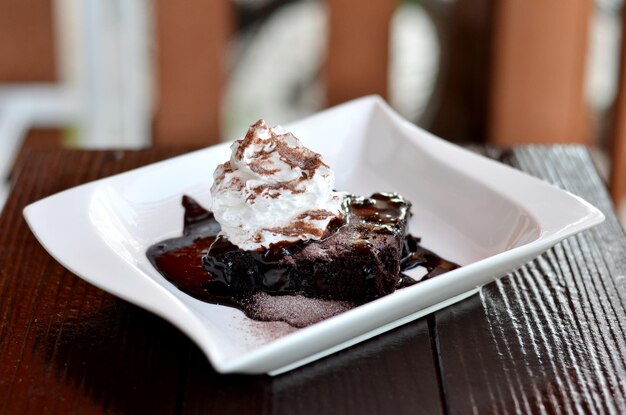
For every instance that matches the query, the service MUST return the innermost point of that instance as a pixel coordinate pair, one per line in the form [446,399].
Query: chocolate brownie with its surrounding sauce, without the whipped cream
[357,260]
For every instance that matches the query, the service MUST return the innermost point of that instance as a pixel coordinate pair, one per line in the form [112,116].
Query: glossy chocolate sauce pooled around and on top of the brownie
[184,260]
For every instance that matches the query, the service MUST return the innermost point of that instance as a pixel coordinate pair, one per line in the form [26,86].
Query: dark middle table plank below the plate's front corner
[392,373]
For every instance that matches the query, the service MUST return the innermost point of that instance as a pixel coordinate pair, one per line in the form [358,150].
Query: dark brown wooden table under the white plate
[548,338]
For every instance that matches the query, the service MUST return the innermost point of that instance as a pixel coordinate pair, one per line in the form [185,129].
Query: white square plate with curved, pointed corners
[479,213]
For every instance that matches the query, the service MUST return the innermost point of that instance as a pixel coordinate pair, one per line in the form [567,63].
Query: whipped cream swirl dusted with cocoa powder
[273,189]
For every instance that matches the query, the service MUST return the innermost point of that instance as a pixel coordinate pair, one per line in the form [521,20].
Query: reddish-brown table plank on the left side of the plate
[66,346]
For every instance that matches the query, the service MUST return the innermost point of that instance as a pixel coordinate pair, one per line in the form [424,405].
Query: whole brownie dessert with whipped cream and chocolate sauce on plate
[278,229]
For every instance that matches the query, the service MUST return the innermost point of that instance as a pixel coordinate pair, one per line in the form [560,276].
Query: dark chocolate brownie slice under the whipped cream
[358,262]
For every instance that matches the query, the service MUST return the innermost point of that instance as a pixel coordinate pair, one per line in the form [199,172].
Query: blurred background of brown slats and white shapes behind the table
[138,73]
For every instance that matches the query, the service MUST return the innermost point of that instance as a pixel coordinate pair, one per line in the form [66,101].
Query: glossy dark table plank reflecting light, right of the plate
[550,337]
